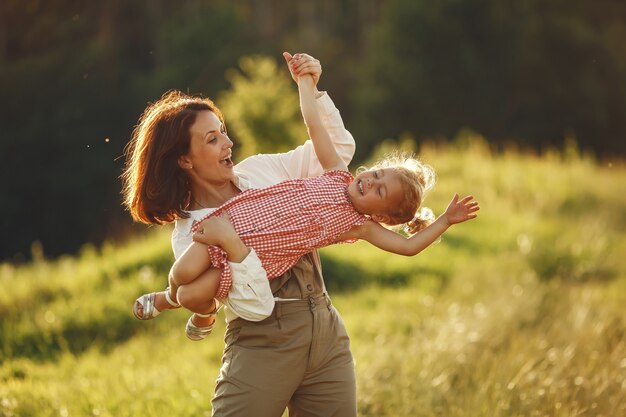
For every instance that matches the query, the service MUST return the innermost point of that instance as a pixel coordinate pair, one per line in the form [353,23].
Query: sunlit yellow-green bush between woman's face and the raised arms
[262,108]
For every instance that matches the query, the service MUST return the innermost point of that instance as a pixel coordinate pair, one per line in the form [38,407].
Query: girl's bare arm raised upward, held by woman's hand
[322,143]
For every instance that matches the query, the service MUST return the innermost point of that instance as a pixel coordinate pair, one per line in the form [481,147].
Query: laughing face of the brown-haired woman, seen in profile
[210,151]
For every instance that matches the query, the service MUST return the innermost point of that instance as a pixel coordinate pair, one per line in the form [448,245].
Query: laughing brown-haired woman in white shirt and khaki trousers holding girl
[299,357]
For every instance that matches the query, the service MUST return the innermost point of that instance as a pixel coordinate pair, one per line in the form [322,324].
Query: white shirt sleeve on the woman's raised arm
[267,169]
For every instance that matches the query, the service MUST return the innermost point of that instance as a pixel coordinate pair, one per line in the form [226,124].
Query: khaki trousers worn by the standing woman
[298,358]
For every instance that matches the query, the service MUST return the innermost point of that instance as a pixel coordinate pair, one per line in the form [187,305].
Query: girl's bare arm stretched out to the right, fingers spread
[388,240]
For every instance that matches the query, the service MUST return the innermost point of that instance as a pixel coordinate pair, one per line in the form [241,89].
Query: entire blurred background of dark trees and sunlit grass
[520,102]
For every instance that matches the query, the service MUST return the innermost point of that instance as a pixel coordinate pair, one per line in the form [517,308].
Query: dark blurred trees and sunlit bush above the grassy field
[75,76]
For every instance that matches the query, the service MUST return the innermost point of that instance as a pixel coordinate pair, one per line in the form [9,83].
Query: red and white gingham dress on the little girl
[287,220]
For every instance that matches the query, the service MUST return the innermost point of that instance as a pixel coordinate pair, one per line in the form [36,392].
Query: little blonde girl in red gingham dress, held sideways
[287,220]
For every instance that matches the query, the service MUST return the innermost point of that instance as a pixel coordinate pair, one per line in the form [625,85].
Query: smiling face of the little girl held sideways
[376,192]
